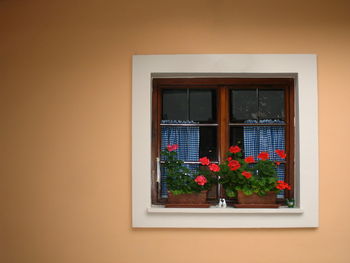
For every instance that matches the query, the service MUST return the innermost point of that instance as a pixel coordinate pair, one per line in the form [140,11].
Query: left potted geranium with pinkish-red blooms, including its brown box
[186,188]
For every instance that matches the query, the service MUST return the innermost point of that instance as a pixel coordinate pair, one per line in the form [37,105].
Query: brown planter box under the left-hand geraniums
[188,200]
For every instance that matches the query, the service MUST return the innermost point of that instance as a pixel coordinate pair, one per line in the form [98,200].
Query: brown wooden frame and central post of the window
[223,85]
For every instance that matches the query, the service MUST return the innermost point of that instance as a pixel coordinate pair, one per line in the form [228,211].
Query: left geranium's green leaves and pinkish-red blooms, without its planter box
[180,179]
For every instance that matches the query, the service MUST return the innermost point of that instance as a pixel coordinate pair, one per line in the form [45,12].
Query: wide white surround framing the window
[302,67]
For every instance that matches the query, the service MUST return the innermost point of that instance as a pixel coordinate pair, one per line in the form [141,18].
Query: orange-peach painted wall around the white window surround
[65,103]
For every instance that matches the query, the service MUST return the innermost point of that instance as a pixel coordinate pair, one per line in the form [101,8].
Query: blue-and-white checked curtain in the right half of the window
[265,139]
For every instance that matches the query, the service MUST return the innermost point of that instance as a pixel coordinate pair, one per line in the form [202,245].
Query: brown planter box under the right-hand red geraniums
[256,201]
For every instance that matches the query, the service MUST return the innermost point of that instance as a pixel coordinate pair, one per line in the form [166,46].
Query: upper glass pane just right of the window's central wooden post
[244,105]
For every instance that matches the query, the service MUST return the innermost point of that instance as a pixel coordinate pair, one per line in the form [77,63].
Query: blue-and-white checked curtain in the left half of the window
[187,137]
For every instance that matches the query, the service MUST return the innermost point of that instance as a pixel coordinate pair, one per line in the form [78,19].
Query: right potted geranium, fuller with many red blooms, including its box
[252,180]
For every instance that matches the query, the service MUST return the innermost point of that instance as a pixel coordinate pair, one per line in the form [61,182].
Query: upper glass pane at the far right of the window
[271,104]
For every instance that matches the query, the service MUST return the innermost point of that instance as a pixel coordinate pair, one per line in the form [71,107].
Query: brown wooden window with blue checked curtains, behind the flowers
[204,116]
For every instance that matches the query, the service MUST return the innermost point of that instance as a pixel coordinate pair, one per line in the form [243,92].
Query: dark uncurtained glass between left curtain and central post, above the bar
[208,143]
